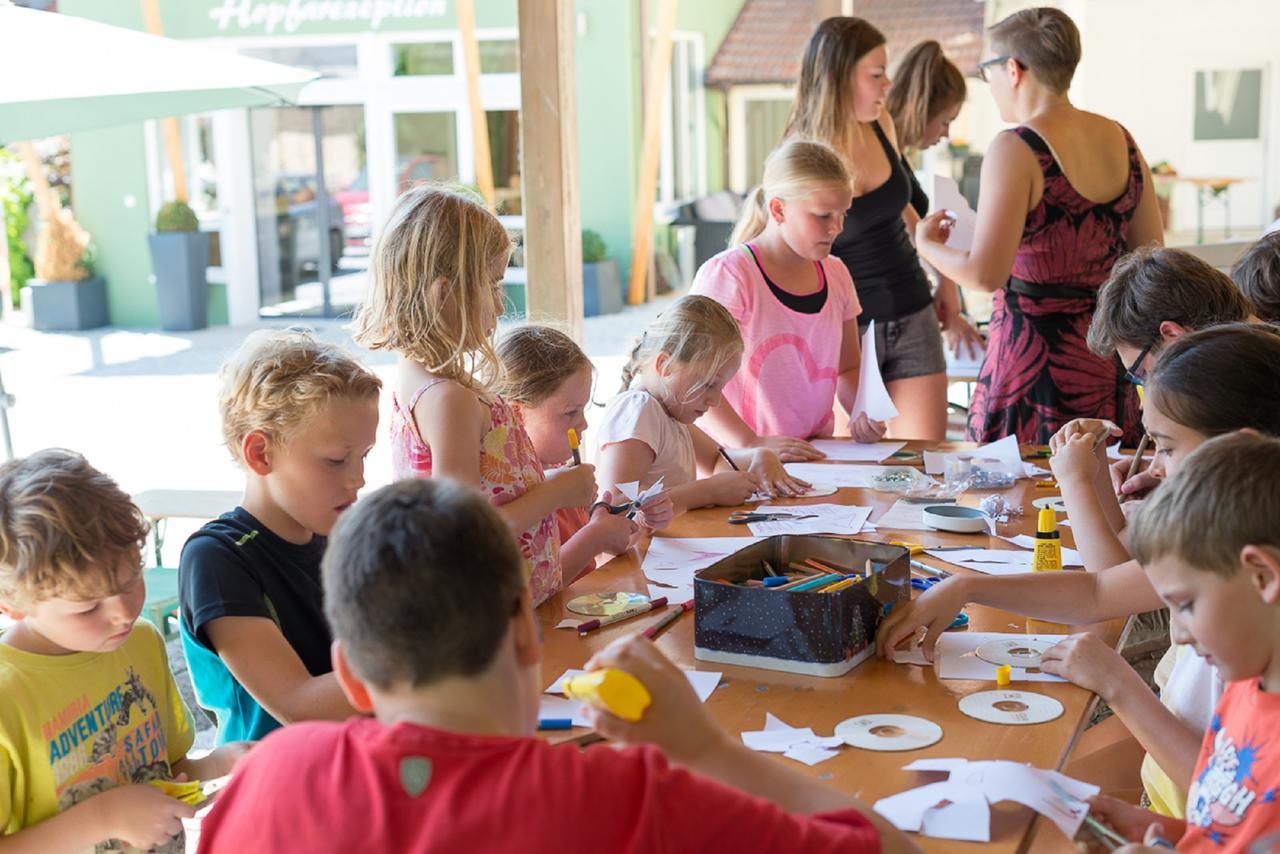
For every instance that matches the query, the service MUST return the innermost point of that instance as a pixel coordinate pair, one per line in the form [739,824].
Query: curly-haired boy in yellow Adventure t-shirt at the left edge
[90,711]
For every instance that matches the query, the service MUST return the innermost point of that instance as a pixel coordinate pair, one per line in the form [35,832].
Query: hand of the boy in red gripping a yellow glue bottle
[676,721]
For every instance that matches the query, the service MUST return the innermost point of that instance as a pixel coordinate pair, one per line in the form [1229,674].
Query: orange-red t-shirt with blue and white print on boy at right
[1233,801]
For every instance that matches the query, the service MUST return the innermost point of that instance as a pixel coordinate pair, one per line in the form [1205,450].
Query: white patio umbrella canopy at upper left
[62,74]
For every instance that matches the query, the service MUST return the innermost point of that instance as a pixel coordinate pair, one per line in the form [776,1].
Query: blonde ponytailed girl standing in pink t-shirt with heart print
[796,307]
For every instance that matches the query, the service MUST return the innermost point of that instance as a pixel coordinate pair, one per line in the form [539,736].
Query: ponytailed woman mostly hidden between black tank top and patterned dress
[926,98]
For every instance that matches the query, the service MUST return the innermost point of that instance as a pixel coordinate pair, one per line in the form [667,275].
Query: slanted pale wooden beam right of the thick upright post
[647,186]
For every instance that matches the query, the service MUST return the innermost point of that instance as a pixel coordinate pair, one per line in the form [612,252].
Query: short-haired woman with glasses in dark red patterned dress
[1063,197]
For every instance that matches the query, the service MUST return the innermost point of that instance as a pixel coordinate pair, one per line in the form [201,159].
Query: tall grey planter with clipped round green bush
[180,259]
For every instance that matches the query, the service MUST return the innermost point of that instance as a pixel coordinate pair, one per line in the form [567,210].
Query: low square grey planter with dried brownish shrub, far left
[65,295]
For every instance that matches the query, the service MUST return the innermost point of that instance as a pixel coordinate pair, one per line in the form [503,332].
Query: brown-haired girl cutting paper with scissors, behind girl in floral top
[548,382]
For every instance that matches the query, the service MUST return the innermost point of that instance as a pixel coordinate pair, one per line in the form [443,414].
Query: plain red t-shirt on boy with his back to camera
[365,787]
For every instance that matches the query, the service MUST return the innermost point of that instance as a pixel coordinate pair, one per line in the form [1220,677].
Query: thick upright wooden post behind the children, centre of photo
[548,171]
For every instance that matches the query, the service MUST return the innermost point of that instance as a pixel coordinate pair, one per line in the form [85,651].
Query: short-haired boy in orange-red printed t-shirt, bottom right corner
[1210,546]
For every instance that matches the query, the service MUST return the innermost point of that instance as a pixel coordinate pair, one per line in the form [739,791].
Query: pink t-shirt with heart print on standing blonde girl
[792,360]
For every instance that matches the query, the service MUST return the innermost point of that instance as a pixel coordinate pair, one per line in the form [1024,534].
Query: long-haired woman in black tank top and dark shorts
[840,101]
